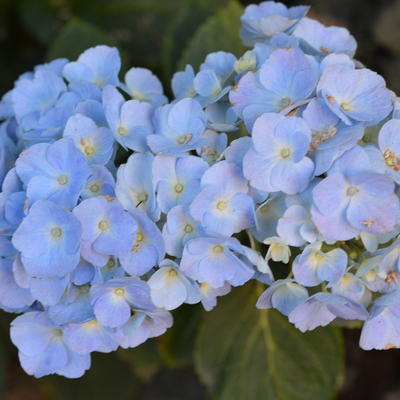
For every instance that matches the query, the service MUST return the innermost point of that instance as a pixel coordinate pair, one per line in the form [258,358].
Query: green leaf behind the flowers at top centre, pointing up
[219,33]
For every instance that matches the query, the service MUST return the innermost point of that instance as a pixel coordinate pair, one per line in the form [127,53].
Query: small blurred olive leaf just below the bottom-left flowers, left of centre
[144,360]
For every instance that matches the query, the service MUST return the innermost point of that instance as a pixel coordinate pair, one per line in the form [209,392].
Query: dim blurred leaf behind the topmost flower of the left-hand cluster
[76,36]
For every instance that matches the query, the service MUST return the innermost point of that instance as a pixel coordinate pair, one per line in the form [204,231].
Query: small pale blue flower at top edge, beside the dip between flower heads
[143,85]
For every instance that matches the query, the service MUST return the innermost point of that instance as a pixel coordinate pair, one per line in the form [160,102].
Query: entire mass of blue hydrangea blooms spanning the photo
[95,255]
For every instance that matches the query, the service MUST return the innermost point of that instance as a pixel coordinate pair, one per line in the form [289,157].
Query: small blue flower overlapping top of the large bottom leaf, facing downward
[284,295]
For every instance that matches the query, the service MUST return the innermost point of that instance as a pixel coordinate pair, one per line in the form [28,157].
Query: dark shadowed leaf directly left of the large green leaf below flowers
[177,344]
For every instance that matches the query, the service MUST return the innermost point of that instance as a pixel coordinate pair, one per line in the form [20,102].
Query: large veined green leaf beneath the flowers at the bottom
[245,353]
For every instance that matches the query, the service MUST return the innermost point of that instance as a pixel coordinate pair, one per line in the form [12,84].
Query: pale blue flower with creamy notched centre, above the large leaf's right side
[313,266]
